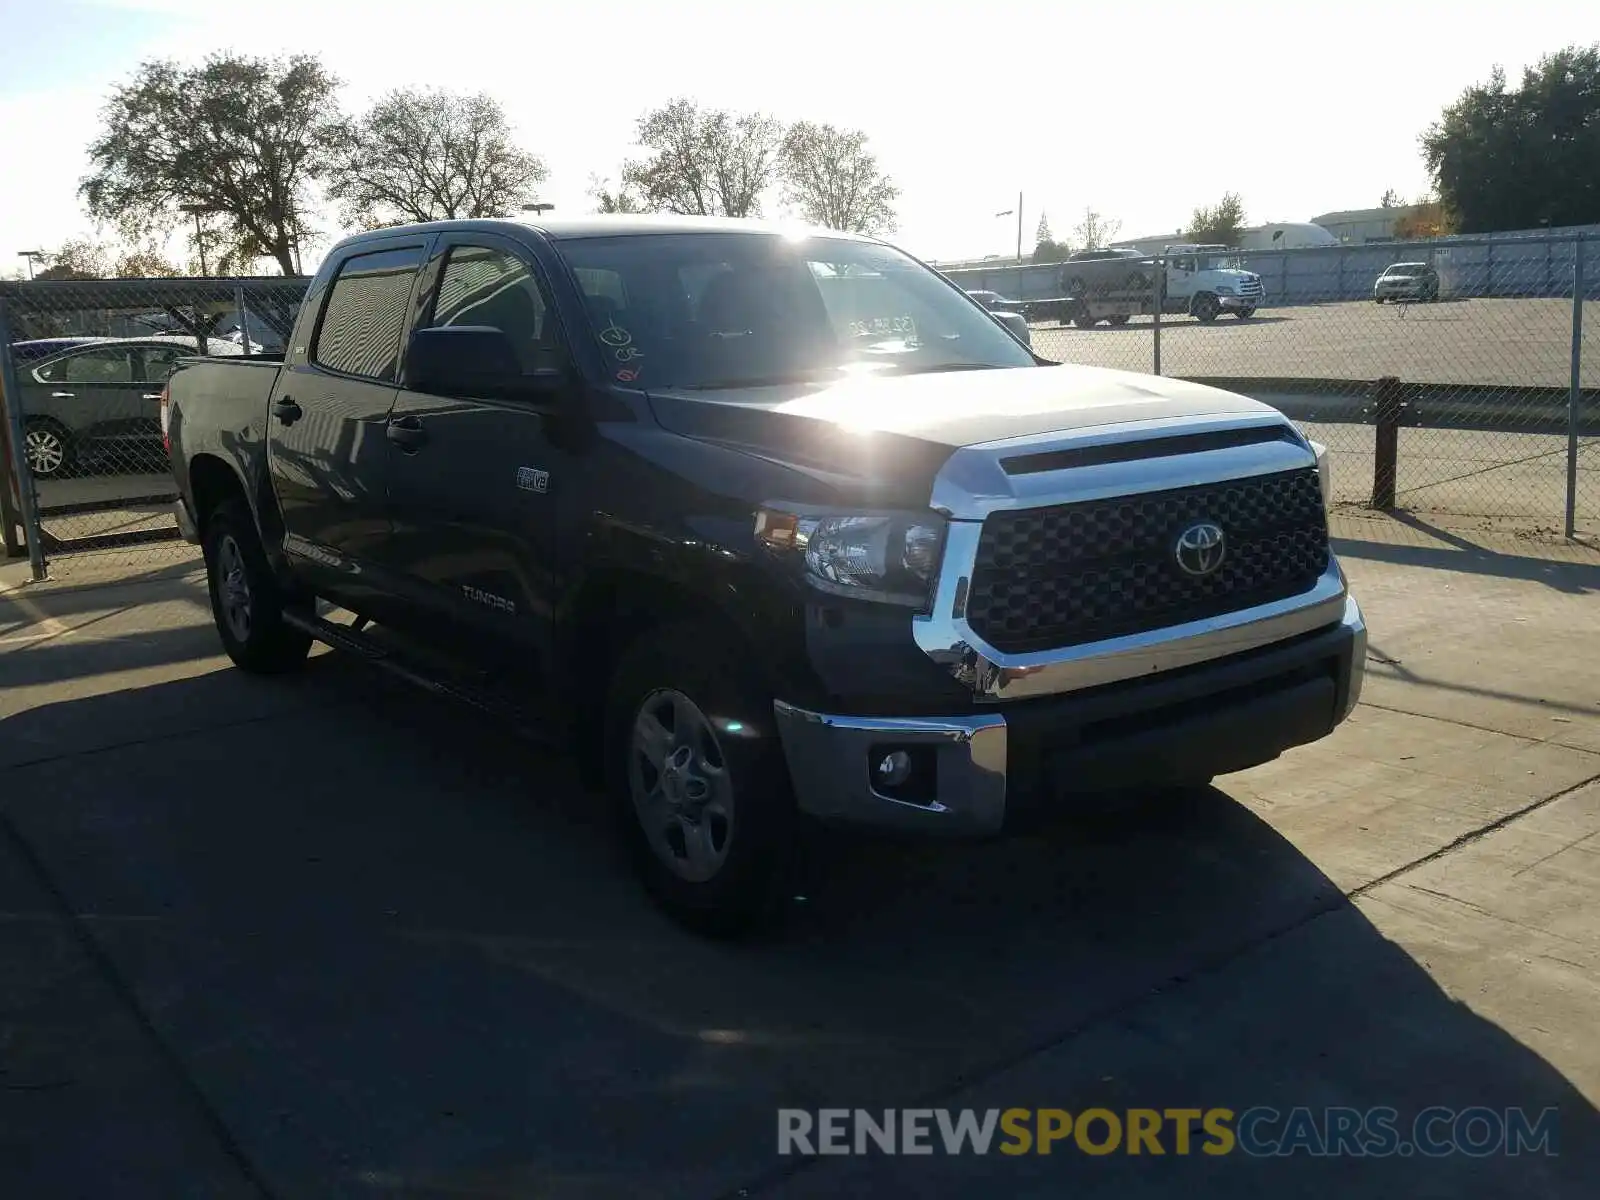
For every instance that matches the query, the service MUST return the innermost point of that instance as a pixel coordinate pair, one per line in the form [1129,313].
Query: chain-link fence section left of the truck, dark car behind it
[87,364]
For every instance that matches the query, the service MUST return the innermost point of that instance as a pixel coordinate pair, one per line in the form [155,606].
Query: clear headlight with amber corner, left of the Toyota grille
[890,558]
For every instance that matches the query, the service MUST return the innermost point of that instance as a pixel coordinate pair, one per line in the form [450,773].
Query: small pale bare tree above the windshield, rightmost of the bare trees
[834,180]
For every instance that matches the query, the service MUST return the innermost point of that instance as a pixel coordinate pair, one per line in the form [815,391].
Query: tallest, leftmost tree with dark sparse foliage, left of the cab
[239,138]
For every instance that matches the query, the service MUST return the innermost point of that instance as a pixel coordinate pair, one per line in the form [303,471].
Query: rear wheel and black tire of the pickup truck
[265,644]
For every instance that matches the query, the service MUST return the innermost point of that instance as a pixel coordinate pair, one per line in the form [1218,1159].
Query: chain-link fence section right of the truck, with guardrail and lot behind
[1495,410]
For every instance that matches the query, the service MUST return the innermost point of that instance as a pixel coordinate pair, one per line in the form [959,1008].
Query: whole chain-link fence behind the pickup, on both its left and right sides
[1490,351]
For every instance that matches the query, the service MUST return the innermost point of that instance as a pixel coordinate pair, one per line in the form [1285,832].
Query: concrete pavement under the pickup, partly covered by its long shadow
[330,938]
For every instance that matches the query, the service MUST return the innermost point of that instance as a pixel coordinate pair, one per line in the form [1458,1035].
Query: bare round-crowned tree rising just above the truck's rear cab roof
[431,156]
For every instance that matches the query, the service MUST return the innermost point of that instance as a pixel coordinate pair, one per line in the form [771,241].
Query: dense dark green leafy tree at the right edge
[1519,158]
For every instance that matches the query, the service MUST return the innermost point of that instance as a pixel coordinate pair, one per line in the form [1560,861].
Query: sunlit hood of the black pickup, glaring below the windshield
[945,410]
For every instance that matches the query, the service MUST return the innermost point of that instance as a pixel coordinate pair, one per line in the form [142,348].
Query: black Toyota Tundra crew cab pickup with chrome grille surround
[774,527]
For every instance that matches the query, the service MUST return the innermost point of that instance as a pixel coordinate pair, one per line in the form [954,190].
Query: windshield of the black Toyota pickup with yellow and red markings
[750,310]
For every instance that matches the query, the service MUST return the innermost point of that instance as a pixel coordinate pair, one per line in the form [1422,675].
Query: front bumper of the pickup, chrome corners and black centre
[991,772]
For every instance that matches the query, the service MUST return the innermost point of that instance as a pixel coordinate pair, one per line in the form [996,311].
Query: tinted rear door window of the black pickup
[367,314]
